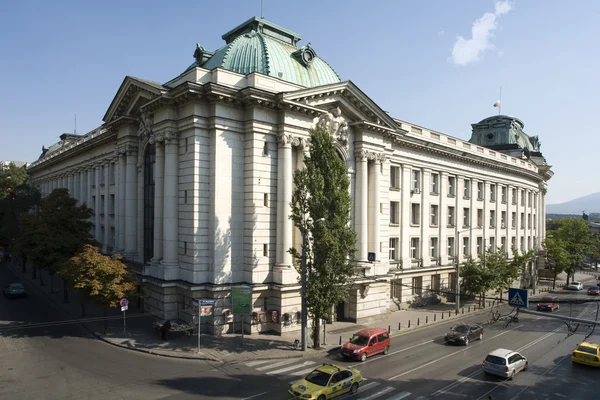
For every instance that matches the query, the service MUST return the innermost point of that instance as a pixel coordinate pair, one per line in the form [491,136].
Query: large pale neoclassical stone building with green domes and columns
[191,180]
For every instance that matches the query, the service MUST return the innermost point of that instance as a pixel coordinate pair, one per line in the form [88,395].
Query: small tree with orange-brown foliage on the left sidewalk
[103,279]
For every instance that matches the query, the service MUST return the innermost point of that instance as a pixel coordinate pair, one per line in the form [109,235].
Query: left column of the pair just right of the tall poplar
[361,204]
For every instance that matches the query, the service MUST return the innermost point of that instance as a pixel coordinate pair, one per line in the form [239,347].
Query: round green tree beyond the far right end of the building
[578,242]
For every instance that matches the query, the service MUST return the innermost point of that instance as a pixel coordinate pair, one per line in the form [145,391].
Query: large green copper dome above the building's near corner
[261,46]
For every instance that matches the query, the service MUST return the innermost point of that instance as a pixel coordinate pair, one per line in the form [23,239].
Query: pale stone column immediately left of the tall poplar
[284,197]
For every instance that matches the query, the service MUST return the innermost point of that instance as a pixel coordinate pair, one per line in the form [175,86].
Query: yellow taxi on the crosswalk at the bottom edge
[326,382]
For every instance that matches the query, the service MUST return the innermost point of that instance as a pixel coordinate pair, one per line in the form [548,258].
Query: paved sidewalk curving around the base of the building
[140,336]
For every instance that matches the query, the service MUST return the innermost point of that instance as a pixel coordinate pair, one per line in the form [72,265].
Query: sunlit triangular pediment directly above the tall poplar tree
[355,102]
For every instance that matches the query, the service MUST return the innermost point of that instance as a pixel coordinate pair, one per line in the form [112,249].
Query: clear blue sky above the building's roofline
[435,63]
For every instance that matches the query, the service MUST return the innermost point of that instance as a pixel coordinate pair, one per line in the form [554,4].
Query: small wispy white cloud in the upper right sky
[467,51]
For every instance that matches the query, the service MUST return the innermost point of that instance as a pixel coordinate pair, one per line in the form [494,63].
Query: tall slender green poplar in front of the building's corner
[322,192]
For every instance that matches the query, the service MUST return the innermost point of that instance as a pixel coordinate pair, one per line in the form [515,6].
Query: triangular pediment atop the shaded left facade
[132,94]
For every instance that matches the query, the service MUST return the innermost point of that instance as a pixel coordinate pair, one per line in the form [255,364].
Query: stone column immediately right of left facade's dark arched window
[159,191]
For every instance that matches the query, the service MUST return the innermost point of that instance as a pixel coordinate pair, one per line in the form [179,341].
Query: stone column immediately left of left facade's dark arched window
[131,202]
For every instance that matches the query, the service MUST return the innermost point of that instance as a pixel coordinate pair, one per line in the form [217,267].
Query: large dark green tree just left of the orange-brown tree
[55,234]
